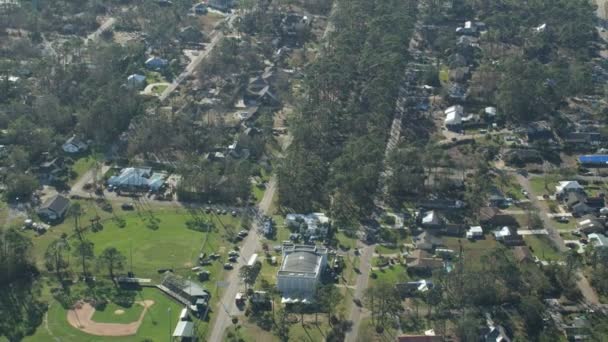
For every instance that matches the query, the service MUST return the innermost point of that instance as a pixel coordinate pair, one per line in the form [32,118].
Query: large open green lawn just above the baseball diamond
[171,245]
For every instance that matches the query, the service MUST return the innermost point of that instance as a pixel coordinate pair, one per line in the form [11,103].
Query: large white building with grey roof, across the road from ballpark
[300,272]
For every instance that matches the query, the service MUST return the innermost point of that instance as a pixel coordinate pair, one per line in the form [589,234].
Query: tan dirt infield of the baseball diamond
[80,318]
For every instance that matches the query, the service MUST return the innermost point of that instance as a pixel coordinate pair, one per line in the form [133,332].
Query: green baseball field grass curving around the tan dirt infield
[155,325]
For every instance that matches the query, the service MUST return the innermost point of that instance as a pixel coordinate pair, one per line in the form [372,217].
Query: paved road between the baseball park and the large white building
[226,309]
